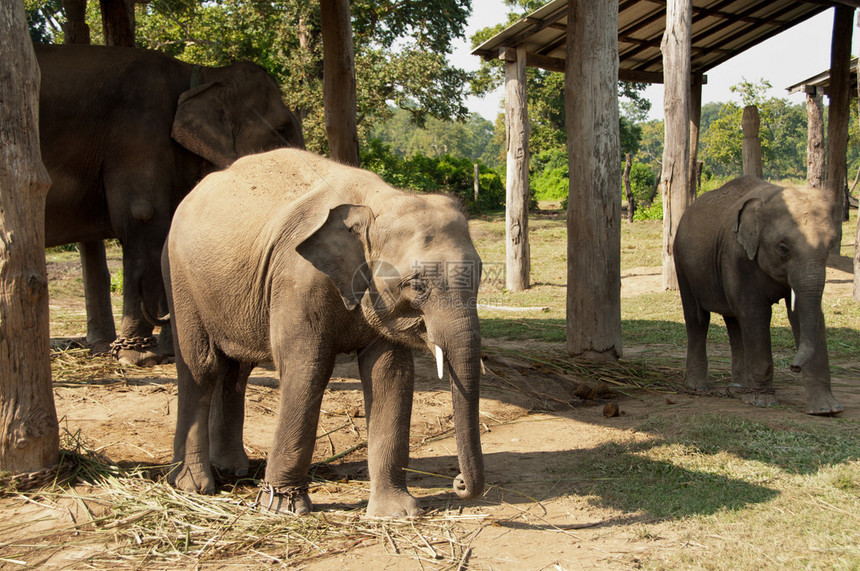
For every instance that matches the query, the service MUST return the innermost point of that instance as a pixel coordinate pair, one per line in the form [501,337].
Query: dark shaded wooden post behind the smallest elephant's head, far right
[836,181]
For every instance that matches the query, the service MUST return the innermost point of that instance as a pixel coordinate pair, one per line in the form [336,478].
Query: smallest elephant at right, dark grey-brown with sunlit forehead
[740,249]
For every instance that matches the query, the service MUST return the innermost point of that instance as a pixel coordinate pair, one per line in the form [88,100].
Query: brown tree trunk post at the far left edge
[29,432]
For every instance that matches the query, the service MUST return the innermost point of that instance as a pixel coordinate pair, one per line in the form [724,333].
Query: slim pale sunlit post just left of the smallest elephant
[675,176]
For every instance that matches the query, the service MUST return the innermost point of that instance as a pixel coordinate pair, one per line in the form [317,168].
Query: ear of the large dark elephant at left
[202,125]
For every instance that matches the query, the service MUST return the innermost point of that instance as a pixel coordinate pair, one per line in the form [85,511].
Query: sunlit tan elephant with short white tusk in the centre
[290,257]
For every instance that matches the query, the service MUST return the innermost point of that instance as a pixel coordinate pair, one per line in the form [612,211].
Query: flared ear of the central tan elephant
[339,248]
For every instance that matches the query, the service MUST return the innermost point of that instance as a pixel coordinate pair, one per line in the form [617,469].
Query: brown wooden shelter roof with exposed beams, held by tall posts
[721,30]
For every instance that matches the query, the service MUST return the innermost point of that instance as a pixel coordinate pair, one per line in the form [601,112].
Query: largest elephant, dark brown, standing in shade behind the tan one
[125,134]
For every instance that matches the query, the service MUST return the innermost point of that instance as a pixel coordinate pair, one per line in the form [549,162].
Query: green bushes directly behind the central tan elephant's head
[444,174]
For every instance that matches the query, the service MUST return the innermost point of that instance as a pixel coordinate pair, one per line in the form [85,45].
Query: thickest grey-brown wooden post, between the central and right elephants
[594,211]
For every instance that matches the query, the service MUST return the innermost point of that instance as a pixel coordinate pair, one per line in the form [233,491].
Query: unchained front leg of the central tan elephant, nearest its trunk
[387,377]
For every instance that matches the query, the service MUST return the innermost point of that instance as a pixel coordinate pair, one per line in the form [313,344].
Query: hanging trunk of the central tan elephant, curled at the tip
[459,339]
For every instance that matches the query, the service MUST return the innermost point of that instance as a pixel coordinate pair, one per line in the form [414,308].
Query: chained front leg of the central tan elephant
[305,370]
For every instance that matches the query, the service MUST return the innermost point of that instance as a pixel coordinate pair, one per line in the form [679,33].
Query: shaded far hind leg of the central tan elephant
[227,419]
